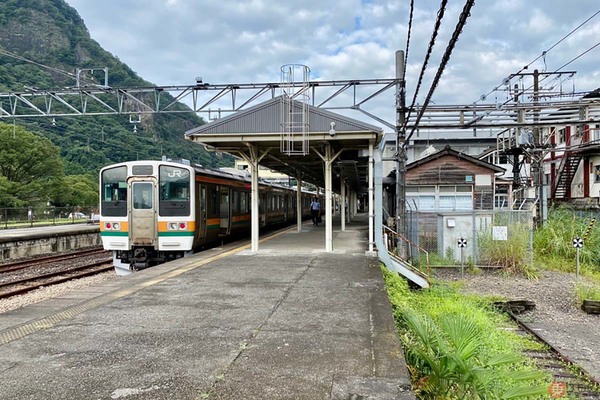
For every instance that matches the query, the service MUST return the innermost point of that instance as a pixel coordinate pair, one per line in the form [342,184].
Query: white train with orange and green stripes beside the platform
[156,211]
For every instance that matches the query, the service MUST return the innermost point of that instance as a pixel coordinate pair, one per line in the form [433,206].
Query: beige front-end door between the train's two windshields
[142,218]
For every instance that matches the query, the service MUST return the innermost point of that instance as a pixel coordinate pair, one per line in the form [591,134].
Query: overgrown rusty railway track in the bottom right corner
[570,381]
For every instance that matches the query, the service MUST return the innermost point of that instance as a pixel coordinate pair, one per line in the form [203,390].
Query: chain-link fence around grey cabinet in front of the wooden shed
[478,238]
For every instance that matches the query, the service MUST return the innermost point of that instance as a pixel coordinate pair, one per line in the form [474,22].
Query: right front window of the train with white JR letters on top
[174,191]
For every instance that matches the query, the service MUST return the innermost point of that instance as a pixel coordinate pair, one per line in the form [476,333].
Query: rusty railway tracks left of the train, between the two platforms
[24,276]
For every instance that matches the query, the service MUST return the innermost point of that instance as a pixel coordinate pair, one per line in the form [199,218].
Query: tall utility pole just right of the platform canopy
[401,152]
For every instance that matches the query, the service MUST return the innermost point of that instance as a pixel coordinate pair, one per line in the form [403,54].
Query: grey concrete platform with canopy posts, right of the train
[288,322]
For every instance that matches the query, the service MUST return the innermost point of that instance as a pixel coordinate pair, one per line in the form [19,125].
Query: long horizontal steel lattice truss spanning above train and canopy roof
[73,101]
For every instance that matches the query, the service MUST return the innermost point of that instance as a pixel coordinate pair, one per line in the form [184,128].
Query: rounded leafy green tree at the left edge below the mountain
[30,168]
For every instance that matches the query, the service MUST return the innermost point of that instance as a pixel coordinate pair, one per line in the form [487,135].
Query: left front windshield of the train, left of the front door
[114,192]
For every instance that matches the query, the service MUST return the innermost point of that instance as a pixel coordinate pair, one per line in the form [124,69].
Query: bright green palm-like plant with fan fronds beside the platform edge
[450,363]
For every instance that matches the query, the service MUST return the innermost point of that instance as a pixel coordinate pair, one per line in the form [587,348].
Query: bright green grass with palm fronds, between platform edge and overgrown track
[456,346]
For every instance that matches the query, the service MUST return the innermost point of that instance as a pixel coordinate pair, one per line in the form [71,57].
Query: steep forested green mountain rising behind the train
[42,42]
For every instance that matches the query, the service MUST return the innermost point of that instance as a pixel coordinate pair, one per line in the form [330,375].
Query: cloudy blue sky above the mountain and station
[171,42]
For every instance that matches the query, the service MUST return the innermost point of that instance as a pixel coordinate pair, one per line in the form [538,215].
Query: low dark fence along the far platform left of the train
[40,216]
